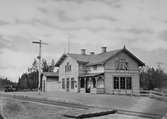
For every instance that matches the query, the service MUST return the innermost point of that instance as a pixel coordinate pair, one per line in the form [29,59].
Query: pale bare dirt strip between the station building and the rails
[130,103]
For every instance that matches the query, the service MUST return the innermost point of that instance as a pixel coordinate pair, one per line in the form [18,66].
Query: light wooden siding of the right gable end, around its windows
[110,72]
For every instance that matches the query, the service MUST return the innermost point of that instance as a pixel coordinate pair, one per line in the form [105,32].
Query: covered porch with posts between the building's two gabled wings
[91,83]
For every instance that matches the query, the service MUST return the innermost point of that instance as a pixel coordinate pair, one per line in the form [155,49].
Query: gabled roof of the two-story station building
[98,59]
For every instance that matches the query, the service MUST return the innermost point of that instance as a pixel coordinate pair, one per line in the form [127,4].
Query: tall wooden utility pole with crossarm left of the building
[40,43]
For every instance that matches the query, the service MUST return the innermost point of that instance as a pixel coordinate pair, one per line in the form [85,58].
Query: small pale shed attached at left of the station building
[50,81]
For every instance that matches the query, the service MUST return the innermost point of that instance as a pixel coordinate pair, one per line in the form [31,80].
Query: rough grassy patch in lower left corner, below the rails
[14,109]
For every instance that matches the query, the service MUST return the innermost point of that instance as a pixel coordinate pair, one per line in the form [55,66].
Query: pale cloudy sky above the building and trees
[141,25]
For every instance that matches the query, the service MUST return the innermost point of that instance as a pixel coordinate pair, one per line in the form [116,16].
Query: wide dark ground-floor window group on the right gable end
[122,82]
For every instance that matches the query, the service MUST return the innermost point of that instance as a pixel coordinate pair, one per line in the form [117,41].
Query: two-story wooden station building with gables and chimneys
[110,72]
